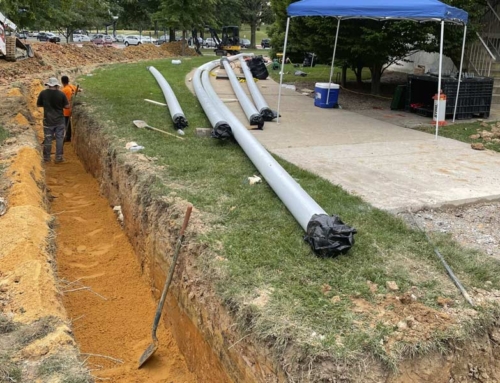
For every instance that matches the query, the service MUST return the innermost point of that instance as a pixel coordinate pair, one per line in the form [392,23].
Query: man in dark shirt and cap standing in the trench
[53,102]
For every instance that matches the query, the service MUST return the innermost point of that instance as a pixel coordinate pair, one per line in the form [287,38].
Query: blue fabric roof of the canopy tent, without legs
[419,10]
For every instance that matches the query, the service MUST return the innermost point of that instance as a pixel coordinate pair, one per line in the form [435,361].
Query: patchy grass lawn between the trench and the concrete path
[280,292]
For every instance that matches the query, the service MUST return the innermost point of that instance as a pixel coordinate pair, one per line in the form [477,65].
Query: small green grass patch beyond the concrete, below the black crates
[462,132]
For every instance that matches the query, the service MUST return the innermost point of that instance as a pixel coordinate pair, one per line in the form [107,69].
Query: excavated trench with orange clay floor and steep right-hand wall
[112,272]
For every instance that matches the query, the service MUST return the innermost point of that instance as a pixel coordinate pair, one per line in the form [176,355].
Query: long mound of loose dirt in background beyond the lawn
[50,57]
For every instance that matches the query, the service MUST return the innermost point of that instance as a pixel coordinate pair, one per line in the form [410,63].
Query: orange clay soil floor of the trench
[94,252]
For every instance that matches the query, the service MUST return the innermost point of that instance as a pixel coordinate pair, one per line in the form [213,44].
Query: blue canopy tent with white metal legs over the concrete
[416,10]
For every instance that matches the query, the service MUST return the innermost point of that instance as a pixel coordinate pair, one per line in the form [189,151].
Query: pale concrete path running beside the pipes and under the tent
[392,167]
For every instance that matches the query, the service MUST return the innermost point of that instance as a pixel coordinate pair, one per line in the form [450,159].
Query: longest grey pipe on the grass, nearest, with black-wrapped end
[328,236]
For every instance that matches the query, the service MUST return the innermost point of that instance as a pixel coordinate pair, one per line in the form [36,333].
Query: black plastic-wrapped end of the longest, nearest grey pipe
[329,236]
